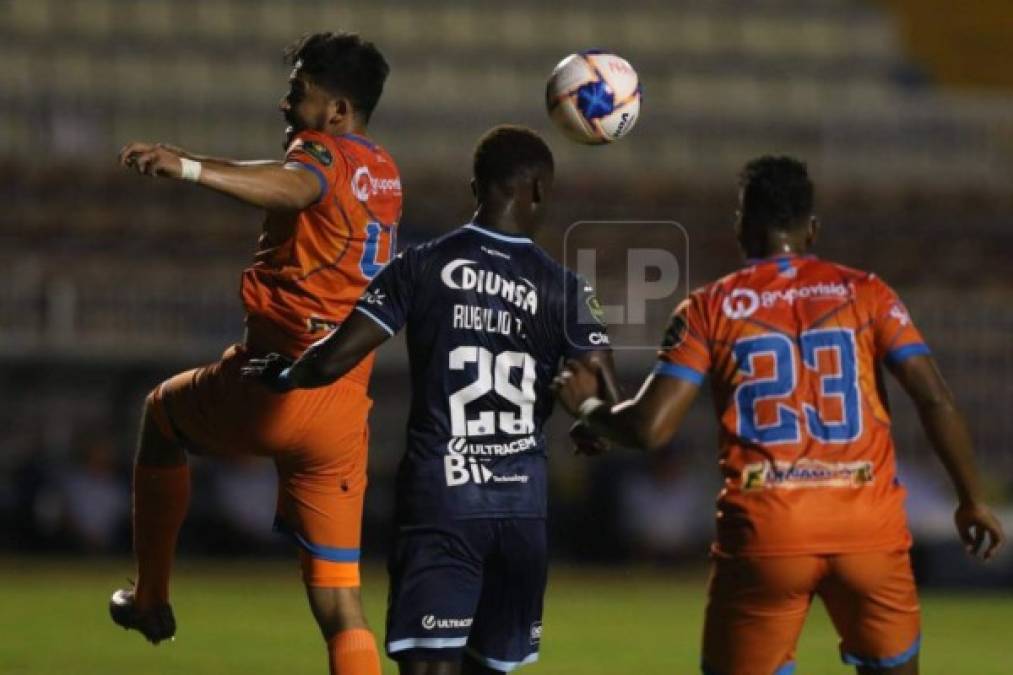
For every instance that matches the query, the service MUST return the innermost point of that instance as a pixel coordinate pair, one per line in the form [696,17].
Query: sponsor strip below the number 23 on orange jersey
[806,474]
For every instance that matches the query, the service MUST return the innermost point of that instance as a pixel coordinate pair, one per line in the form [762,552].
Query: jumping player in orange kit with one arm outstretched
[333,210]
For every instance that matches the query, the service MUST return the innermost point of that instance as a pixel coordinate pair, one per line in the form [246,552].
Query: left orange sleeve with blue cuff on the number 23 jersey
[685,353]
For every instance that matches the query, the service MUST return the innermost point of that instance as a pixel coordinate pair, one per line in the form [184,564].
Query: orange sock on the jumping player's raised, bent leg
[162,496]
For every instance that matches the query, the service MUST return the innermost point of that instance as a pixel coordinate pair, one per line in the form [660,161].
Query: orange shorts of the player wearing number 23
[757,607]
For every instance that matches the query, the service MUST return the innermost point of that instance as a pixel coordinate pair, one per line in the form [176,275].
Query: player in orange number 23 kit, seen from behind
[796,349]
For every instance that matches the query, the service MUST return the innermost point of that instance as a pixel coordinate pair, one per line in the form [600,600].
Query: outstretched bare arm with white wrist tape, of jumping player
[270,186]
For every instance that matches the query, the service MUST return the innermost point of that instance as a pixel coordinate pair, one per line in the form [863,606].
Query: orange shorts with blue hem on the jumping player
[319,439]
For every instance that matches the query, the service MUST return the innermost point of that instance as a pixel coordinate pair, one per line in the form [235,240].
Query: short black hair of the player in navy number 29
[507,152]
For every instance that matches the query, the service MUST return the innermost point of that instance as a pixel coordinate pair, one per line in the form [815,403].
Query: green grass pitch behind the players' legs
[252,618]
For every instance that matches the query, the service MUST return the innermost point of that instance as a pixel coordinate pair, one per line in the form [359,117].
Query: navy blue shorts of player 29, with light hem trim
[473,586]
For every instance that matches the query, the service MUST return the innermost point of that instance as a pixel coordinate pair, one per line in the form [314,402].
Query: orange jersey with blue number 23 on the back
[795,348]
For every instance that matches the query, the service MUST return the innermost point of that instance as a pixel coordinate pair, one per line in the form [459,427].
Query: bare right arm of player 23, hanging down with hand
[948,431]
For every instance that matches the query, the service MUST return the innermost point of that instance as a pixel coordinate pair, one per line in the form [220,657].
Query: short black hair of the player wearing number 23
[777,193]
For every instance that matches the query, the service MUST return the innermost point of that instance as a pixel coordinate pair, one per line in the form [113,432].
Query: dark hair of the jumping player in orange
[345,65]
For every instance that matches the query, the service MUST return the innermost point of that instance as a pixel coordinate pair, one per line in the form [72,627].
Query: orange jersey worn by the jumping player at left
[313,266]
